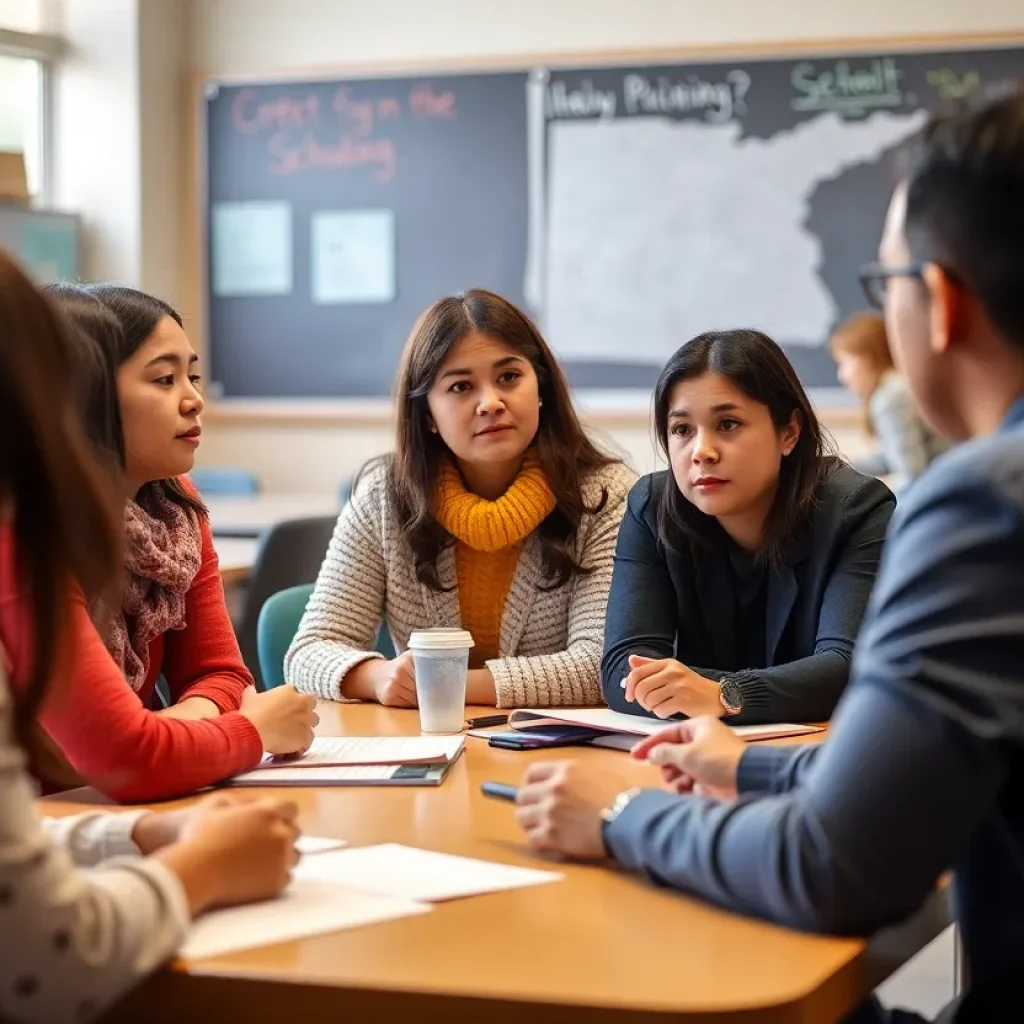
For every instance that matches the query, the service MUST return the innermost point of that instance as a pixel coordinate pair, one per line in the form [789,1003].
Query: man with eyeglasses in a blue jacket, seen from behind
[924,771]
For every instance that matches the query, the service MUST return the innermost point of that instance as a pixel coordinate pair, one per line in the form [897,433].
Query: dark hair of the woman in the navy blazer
[753,363]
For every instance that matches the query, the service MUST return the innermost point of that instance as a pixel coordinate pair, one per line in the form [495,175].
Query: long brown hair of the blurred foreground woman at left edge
[67,524]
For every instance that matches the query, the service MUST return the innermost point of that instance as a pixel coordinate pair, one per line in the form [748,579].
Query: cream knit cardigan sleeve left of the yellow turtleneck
[339,627]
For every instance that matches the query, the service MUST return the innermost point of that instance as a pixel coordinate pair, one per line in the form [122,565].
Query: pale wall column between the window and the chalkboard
[119,145]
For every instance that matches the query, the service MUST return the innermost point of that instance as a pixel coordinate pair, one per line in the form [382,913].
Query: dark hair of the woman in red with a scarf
[137,316]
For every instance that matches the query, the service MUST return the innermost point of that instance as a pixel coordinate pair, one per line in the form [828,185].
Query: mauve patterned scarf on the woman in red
[163,553]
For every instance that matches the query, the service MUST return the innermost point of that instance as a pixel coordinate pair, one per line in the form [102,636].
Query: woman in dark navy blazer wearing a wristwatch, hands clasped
[743,574]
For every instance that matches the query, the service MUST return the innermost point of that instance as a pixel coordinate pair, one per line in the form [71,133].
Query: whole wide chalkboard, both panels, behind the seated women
[628,208]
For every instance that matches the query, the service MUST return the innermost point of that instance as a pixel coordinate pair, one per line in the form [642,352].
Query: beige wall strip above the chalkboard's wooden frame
[257,36]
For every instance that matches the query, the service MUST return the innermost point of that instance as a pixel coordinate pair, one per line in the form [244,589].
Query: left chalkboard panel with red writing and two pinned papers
[437,164]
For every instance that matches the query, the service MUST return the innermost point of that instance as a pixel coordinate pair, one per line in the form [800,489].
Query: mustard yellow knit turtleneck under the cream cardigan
[490,537]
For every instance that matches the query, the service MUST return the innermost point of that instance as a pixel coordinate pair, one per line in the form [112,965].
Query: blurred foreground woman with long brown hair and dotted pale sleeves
[83,915]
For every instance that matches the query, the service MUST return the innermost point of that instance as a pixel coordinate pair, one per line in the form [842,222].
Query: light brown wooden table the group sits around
[601,947]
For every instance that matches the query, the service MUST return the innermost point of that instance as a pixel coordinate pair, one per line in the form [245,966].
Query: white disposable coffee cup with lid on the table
[441,658]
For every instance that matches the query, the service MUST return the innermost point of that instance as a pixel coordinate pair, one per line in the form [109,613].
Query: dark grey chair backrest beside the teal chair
[290,554]
